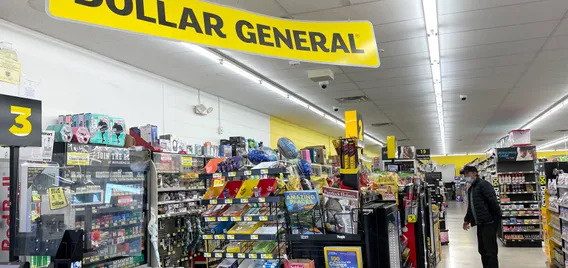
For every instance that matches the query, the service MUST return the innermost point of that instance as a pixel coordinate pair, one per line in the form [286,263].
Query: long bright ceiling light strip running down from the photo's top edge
[430,9]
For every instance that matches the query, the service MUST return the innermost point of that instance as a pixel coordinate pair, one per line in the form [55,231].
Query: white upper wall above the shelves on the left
[74,80]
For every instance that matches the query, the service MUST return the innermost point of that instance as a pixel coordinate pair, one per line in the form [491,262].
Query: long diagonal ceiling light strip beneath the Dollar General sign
[239,70]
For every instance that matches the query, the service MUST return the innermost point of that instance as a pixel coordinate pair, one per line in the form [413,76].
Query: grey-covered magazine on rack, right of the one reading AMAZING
[341,212]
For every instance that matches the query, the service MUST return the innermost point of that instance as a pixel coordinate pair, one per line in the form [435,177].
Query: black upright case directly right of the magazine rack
[381,219]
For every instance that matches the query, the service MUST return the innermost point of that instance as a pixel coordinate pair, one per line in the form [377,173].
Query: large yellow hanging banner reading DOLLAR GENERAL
[340,43]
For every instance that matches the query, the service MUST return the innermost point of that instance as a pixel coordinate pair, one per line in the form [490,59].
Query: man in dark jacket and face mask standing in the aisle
[484,211]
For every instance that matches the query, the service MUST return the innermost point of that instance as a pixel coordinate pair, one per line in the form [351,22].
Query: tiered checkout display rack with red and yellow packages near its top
[220,246]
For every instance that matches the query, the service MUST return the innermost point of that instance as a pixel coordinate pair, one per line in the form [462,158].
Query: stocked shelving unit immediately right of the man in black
[516,183]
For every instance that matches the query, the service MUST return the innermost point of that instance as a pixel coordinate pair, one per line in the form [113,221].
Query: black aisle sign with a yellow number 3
[20,121]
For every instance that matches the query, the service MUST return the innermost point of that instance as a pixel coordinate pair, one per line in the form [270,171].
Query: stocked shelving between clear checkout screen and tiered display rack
[176,192]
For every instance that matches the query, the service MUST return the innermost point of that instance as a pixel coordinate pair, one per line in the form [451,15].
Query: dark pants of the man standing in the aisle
[487,244]
